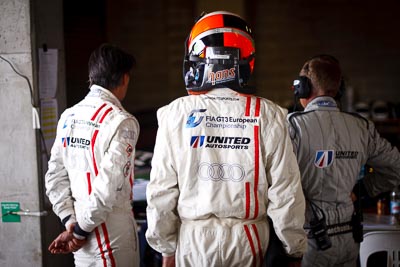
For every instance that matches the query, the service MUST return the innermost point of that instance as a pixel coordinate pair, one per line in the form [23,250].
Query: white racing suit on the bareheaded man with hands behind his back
[90,178]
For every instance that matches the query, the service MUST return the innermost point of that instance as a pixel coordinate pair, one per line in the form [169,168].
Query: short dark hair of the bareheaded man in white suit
[107,66]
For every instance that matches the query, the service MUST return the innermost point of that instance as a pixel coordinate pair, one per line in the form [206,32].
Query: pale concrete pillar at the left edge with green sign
[20,243]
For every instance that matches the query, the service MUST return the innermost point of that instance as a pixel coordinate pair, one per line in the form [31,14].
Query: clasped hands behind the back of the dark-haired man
[66,242]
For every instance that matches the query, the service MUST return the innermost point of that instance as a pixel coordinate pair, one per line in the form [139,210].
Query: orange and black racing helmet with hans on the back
[219,52]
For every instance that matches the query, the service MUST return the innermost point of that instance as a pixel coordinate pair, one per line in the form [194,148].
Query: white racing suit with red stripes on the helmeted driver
[221,163]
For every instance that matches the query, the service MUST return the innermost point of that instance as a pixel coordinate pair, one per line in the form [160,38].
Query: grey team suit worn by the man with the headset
[331,148]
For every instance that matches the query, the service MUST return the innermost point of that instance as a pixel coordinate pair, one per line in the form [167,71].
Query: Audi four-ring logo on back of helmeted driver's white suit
[221,172]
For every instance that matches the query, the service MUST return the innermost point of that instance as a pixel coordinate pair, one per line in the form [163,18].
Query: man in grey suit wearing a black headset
[331,147]
